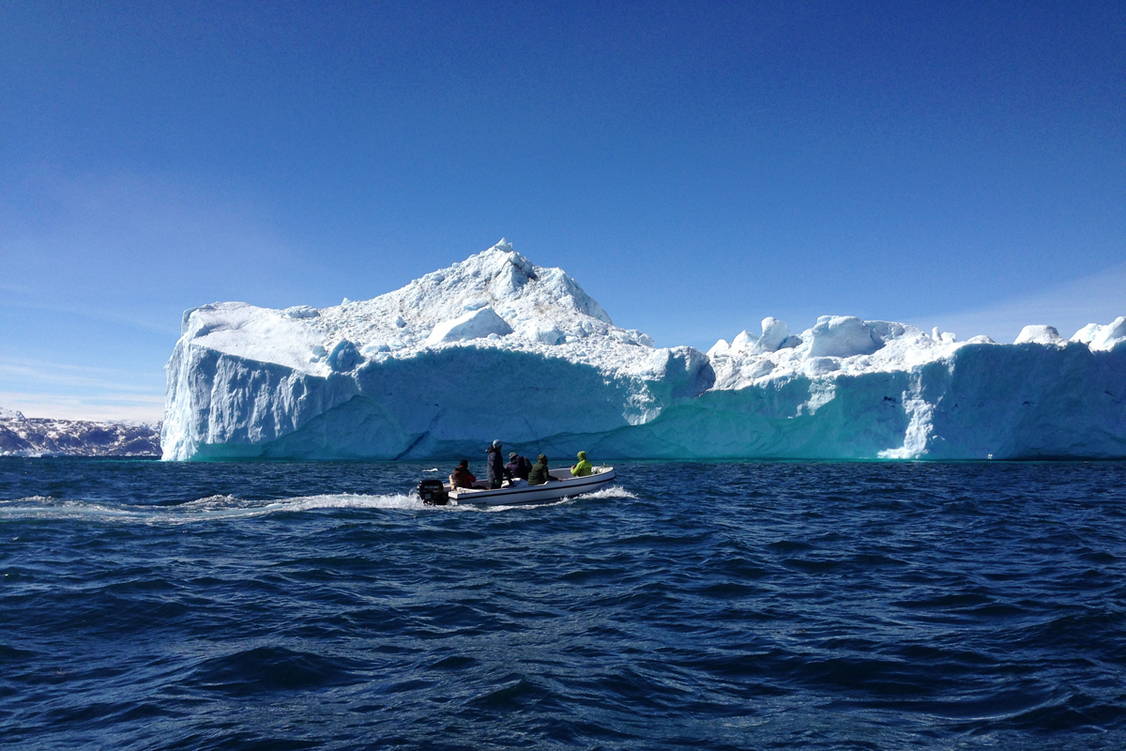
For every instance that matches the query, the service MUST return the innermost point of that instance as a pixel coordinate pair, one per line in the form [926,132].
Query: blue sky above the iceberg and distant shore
[694,166]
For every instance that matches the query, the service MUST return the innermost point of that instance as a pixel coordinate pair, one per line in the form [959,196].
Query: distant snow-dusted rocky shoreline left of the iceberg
[23,436]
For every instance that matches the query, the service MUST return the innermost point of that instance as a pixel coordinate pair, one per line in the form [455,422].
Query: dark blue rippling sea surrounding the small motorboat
[149,605]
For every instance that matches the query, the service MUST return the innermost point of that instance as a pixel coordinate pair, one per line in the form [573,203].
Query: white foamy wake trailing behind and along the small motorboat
[220,508]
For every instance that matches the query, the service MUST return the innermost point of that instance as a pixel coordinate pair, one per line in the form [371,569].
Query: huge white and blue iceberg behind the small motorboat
[497,347]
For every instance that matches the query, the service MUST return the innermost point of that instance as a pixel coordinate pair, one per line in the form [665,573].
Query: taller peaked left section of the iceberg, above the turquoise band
[246,381]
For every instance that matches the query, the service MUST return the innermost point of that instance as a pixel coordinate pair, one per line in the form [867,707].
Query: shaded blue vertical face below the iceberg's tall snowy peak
[440,403]
